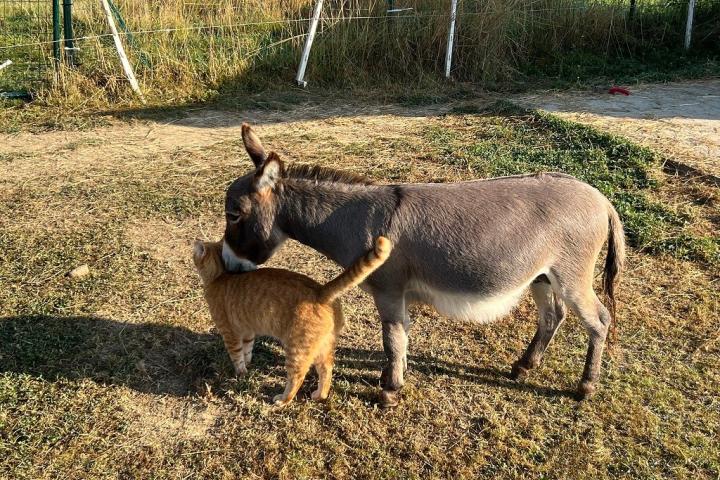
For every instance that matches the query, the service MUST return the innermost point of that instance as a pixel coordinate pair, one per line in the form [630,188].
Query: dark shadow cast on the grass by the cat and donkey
[172,360]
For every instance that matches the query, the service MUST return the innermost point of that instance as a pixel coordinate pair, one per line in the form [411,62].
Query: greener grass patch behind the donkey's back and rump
[507,140]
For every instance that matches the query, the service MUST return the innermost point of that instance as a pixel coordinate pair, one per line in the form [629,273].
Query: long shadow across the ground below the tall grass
[690,100]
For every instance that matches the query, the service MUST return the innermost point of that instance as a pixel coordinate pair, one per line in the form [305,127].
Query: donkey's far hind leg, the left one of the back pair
[551,313]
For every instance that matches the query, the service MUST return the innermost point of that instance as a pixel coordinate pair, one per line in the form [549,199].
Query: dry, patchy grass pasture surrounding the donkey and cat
[120,375]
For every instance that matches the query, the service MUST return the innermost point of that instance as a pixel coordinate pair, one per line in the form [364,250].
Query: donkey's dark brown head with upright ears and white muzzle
[251,205]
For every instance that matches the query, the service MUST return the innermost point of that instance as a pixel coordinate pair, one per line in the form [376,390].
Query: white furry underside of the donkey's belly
[468,306]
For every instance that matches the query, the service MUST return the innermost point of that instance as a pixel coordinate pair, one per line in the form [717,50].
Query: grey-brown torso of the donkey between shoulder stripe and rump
[486,237]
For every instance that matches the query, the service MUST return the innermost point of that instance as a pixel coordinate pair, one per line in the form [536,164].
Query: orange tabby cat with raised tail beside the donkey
[305,316]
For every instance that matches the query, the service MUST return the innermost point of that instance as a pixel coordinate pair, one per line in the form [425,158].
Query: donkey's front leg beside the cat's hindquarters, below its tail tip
[393,315]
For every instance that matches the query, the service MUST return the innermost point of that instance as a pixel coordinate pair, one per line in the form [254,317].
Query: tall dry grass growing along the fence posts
[211,48]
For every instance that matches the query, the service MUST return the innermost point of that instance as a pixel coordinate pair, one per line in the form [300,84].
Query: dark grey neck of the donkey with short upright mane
[338,220]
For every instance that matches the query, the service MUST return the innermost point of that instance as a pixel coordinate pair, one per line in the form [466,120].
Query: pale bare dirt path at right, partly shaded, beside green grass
[681,120]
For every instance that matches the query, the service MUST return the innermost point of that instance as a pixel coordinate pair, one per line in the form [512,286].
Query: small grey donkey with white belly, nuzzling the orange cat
[470,249]
